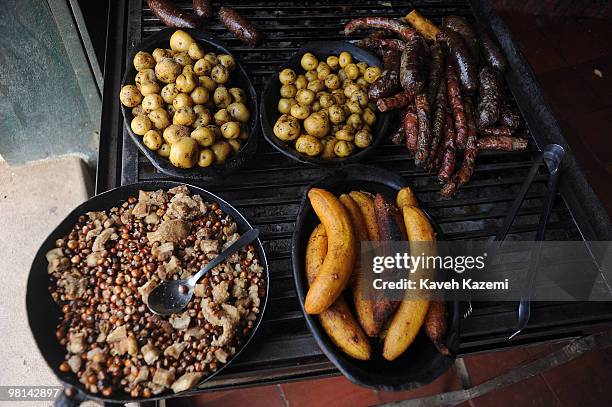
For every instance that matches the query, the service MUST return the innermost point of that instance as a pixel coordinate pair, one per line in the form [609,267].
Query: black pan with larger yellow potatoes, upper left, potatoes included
[190,109]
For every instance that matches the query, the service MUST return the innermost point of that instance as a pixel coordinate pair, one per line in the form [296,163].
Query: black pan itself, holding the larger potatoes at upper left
[238,78]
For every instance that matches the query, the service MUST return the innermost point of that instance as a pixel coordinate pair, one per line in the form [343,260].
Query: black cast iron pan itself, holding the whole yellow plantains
[421,363]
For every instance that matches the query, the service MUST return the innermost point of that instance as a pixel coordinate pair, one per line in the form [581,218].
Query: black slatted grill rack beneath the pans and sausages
[269,189]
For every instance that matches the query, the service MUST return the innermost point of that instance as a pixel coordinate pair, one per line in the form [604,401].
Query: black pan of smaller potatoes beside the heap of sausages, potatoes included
[287,107]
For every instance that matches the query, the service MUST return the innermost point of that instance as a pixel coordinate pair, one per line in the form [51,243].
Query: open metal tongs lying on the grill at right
[552,156]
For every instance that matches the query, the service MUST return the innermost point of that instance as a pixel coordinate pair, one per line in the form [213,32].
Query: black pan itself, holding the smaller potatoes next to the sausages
[271,96]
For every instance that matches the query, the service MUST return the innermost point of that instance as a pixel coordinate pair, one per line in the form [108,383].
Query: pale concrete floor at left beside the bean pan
[34,198]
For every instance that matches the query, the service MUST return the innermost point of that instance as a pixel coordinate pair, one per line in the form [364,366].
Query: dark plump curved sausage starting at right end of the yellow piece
[461,58]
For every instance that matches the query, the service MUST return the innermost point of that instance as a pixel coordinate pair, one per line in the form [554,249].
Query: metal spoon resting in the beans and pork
[171,297]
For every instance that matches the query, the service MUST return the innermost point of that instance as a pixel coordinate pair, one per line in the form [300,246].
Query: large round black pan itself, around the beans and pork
[43,312]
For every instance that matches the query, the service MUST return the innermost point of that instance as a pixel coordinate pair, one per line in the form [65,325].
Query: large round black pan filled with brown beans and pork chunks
[89,282]
